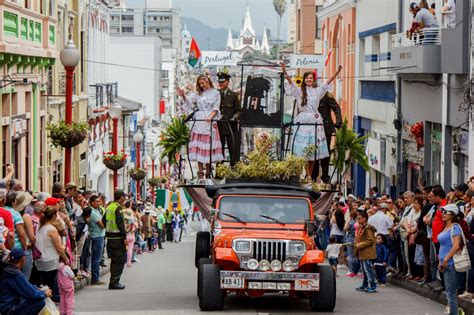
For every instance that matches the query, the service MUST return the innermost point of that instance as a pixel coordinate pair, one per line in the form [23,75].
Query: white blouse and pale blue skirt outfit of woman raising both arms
[306,135]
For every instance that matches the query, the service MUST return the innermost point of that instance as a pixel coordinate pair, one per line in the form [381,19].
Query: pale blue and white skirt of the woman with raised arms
[306,136]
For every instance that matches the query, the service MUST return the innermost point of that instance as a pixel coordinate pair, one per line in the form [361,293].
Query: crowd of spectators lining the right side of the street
[413,237]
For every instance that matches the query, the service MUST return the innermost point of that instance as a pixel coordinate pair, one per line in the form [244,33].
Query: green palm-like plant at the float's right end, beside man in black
[349,149]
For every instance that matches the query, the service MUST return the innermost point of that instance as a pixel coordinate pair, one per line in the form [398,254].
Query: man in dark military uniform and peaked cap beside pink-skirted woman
[230,110]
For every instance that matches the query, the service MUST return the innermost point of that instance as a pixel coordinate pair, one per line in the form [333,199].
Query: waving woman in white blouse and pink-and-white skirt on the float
[207,100]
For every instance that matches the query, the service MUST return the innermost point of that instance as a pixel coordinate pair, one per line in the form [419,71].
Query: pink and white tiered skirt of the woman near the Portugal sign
[200,146]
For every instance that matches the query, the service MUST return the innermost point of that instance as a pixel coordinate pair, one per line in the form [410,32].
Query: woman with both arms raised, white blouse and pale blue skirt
[307,98]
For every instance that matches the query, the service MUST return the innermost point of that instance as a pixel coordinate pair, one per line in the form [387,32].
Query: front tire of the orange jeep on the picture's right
[324,300]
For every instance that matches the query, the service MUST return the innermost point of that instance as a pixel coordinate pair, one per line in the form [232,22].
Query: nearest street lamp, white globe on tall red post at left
[70,57]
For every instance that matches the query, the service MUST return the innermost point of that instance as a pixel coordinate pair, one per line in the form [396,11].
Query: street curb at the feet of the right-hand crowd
[439,297]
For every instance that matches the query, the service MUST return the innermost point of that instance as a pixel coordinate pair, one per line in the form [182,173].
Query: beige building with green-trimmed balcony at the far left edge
[28,49]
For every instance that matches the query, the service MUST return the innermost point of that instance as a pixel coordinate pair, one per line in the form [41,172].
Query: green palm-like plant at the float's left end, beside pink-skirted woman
[175,139]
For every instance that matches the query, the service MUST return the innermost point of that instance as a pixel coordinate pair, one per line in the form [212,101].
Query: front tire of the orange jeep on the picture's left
[211,297]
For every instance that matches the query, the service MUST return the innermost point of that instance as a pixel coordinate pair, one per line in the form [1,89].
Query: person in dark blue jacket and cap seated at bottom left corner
[17,295]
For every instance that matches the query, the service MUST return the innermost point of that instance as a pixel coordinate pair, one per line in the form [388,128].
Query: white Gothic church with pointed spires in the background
[247,43]
